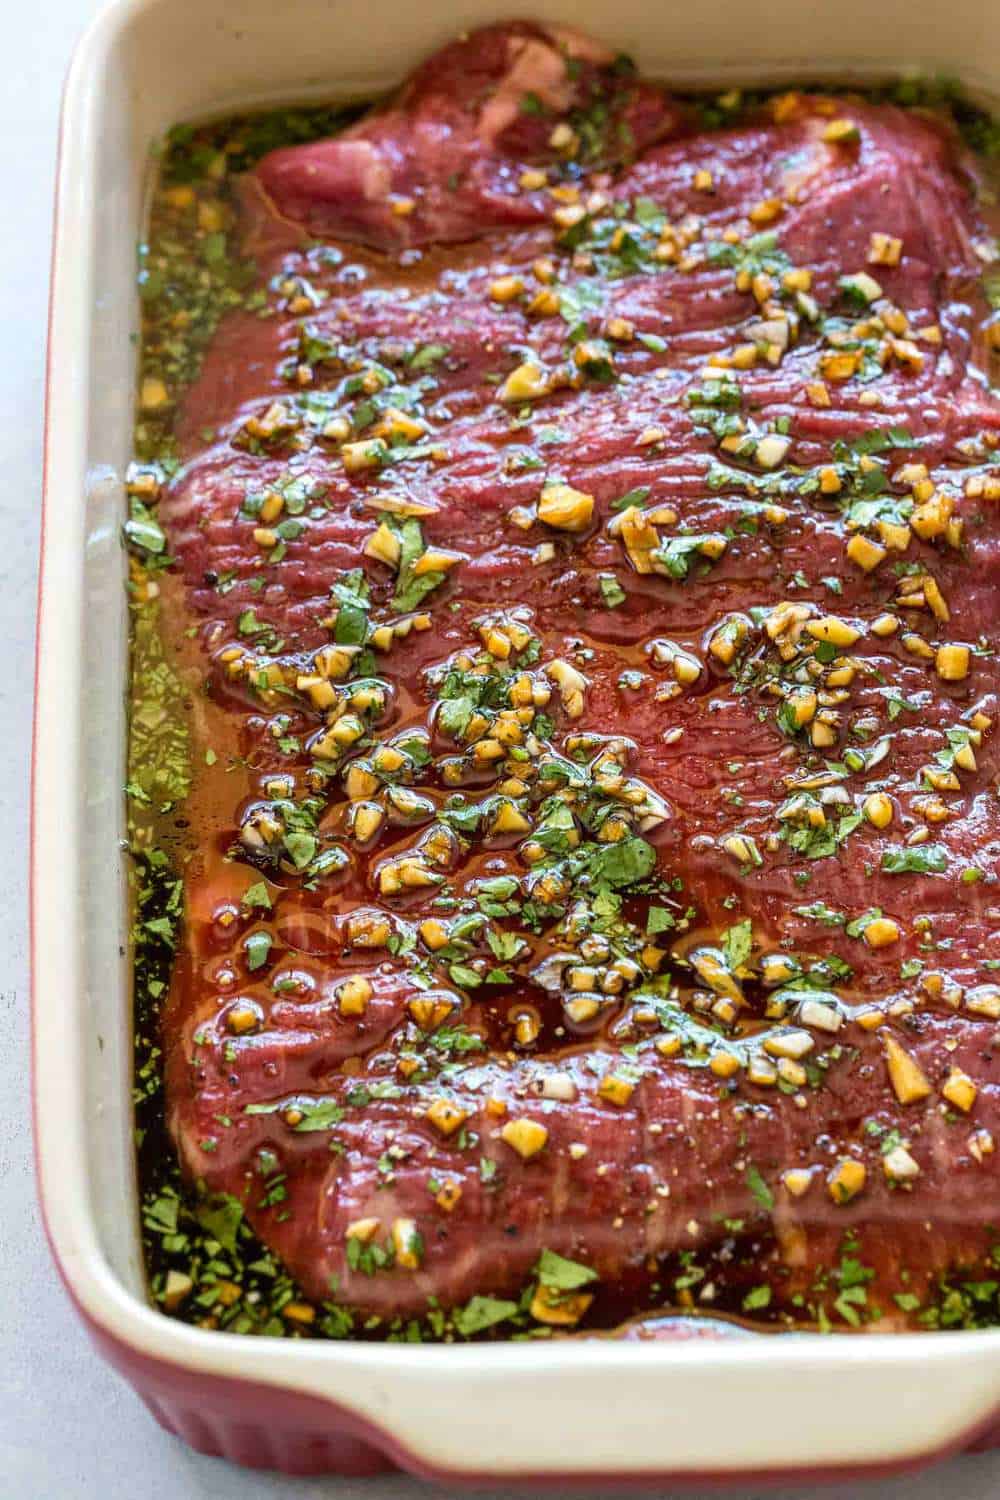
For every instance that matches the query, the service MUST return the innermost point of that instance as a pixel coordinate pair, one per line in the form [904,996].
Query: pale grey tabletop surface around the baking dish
[68,1427]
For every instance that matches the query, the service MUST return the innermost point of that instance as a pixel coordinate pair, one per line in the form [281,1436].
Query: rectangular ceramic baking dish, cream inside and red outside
[576,1412]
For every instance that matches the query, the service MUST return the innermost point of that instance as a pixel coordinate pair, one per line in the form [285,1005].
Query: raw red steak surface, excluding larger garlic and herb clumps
[684,1151]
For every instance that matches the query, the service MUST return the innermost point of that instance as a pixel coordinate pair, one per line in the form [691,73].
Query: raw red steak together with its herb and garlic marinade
[563,790]
